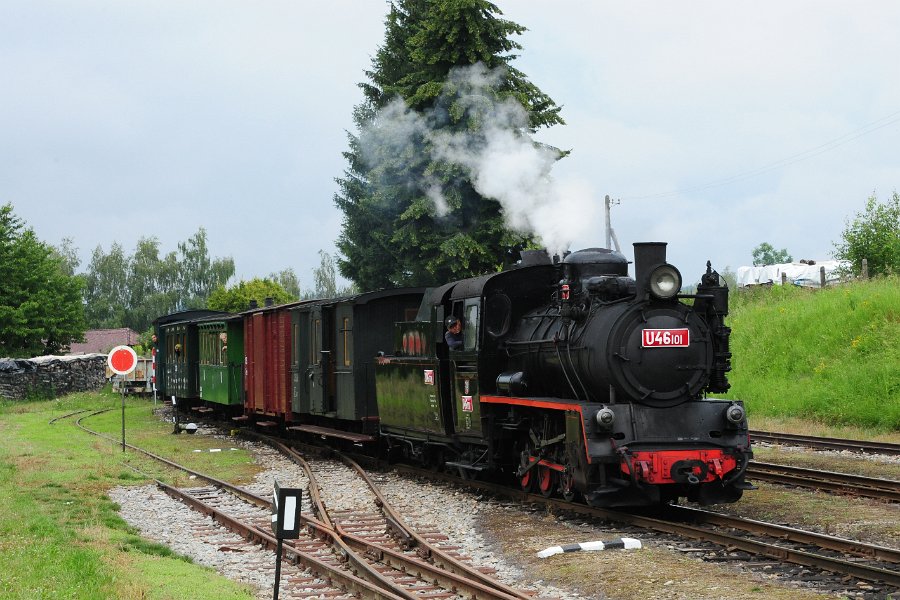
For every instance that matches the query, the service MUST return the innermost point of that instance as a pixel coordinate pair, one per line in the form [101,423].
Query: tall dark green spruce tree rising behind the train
[412,215]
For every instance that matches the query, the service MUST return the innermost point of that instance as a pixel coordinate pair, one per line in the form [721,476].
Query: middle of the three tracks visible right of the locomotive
[846,483]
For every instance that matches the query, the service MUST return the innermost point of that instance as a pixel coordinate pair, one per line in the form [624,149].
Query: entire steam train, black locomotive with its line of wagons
[572,378]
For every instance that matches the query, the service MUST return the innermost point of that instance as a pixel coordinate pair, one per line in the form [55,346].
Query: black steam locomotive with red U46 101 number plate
[573,378]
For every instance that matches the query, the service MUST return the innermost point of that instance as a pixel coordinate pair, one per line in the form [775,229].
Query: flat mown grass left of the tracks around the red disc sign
[60,534]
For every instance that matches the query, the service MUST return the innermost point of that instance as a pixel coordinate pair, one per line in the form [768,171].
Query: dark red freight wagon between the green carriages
[267,361]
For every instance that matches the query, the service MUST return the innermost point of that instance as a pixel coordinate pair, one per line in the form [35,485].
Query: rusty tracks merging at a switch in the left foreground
[363,553]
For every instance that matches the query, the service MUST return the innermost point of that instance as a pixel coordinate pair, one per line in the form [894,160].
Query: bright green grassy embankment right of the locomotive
[830,356]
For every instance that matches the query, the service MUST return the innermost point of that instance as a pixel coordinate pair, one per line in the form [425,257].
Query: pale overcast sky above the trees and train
[719,125]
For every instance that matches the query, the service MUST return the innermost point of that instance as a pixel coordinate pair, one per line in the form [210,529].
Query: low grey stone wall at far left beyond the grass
[51,376]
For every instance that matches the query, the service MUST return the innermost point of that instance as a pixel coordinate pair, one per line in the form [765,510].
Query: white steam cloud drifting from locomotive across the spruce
[503,162]
